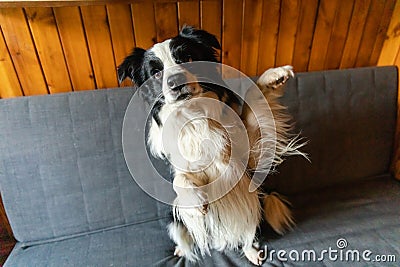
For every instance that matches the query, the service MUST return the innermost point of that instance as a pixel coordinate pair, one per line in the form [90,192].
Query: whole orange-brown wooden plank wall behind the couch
[78,46]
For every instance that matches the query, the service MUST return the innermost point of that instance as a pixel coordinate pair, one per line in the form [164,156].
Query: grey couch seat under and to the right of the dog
[366,216]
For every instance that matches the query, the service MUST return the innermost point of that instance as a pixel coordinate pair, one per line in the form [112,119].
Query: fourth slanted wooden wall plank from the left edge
[74,44]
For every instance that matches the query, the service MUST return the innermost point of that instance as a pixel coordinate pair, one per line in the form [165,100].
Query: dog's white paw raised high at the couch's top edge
[276,77]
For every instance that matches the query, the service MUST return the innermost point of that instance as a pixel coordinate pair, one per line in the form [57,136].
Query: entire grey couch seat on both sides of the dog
[366,217]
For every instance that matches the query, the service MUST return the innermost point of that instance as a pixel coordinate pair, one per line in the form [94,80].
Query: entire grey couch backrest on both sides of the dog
[62,171]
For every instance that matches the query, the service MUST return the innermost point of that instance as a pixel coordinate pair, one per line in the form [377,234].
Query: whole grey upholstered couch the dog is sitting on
[71,200]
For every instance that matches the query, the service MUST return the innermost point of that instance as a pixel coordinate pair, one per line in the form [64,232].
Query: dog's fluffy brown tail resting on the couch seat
[277,213]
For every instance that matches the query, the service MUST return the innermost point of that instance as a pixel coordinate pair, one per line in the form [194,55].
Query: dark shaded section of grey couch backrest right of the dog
[349,120]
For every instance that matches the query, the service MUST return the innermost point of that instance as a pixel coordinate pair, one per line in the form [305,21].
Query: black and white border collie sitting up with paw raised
[214,208]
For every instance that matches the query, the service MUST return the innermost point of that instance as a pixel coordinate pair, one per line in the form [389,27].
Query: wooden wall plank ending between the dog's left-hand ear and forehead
[144,24]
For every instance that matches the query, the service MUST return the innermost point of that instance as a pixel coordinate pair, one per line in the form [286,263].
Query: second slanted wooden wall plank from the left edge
[22,50]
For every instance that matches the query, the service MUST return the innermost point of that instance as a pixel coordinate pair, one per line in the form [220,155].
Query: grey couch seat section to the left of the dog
[135,245]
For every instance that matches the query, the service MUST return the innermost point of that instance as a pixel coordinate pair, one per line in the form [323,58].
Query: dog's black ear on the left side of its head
[131,66]
